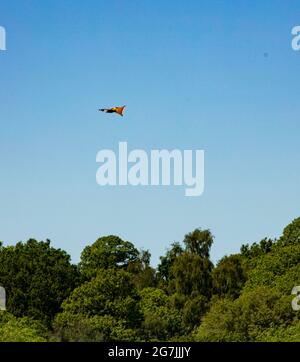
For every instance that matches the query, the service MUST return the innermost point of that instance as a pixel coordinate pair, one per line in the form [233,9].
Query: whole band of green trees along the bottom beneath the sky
[114,294]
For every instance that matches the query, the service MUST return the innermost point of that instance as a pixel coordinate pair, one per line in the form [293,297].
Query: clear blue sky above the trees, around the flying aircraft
[214,75]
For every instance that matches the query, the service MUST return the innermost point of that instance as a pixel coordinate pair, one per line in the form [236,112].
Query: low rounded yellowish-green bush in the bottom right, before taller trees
[246,318]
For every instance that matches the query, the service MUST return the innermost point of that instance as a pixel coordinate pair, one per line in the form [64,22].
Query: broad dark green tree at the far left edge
[37,278]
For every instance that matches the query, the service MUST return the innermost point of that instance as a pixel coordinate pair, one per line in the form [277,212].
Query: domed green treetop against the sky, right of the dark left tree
[108,252]
